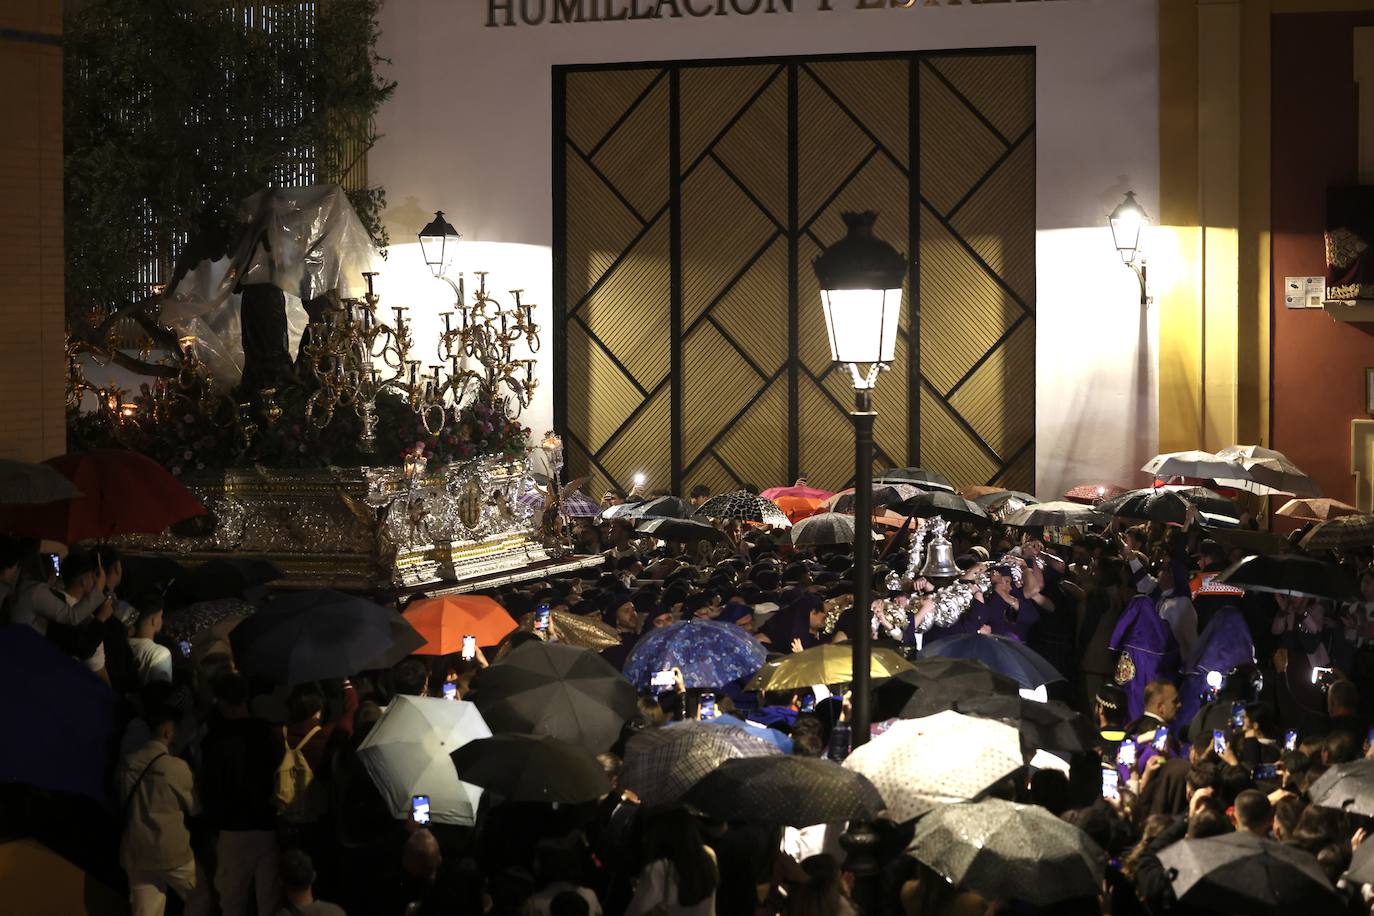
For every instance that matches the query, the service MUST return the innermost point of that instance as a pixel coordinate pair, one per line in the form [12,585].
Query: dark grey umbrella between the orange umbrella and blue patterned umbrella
[560,691]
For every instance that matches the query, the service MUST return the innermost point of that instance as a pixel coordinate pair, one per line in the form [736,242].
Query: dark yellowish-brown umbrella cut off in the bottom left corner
[38,882]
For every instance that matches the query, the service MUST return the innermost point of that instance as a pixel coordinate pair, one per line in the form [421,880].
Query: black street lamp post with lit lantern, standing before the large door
[861,292]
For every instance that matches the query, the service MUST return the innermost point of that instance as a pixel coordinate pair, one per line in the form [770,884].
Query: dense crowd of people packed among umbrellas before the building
[1214,711]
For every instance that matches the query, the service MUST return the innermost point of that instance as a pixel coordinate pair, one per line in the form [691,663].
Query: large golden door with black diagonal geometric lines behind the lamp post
[690,201]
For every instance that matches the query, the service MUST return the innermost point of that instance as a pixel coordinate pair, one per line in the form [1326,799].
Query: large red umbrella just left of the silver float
[124,494]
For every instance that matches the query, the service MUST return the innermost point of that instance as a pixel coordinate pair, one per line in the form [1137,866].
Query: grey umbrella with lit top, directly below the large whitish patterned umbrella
[1009,852]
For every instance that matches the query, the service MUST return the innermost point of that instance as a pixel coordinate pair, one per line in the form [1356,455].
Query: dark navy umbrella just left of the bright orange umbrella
[311,637]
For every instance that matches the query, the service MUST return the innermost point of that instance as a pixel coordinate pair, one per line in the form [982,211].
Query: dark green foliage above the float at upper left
[175,111]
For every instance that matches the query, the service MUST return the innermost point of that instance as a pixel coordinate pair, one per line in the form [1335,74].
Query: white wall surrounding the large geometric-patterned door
[471,131]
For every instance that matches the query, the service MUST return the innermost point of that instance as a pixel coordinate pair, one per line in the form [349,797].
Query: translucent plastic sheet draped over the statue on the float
[251,304]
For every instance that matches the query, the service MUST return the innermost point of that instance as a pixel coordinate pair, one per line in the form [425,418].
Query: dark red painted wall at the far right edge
[1318,363]
